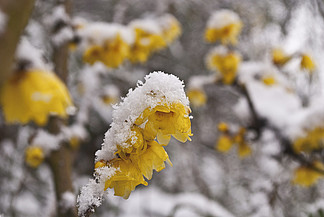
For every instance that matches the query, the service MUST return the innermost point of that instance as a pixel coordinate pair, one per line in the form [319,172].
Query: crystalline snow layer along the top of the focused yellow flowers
[158,86]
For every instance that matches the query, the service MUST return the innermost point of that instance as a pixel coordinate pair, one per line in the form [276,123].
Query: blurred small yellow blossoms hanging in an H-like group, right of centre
[227,140]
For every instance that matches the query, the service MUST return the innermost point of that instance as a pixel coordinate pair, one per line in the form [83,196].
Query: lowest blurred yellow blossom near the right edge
[306,176]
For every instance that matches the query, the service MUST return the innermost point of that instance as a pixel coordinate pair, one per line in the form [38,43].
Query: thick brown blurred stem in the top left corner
[17,14]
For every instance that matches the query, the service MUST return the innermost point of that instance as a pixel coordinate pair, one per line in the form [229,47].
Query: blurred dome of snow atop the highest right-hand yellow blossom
[222,18]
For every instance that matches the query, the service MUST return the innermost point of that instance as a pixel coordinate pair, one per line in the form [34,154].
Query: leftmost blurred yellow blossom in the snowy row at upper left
[112,53]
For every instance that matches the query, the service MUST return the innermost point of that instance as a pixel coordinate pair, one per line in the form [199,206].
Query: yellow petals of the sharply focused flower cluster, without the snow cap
[141,154]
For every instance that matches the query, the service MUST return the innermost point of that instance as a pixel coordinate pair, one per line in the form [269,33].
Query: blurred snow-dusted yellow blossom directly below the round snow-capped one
[226,64]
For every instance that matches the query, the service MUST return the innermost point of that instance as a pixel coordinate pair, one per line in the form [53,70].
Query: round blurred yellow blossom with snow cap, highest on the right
[224,25]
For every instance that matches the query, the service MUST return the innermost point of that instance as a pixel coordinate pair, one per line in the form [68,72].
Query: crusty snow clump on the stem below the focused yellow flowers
[92,193]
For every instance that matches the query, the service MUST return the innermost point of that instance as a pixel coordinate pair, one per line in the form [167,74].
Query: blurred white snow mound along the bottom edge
[158,203]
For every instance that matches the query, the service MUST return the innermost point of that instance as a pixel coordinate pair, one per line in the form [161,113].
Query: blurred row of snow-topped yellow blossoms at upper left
[115,50]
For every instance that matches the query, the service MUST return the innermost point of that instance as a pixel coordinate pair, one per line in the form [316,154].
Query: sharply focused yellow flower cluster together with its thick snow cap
[142,124]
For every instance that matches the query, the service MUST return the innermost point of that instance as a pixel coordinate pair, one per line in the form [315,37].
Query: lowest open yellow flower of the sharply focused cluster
[127,177]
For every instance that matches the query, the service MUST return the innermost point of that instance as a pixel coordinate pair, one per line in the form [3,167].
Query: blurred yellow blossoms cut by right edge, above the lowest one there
[313,140]
